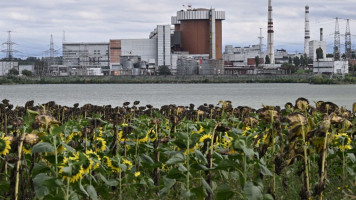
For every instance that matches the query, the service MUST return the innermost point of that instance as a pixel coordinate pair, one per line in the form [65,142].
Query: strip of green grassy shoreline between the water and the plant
[310,79]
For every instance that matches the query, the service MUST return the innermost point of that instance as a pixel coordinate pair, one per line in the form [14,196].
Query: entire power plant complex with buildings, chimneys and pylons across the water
[192,45]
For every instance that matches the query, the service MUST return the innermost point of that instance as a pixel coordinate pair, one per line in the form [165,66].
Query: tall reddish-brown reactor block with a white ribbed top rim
[199,31]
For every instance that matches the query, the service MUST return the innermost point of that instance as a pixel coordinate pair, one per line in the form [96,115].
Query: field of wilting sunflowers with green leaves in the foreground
[301,151]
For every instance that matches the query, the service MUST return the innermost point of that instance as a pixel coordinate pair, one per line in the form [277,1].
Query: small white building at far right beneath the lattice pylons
[331,67]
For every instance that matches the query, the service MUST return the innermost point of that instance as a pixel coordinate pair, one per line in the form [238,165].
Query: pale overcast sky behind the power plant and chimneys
[33,21]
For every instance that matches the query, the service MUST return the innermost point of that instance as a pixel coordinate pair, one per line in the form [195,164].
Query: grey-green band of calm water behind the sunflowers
[253,95]
